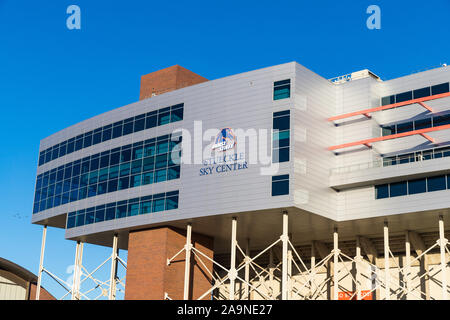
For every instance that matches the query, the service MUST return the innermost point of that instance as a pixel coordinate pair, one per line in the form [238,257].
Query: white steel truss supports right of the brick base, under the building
[296,278]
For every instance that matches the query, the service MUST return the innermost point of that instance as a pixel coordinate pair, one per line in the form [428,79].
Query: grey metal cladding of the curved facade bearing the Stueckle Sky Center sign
[243,102]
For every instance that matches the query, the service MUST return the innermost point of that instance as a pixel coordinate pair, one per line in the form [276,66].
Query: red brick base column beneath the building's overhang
[149,276]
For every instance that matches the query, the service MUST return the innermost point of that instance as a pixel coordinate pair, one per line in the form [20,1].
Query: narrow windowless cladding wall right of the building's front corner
[314,103]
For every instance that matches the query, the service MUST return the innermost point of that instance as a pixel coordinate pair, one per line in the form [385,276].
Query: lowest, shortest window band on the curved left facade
[121,209]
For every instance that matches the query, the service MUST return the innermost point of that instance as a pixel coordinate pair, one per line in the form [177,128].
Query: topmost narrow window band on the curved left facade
[112,131]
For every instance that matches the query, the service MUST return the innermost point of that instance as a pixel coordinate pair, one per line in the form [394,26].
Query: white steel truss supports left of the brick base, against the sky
[97,288]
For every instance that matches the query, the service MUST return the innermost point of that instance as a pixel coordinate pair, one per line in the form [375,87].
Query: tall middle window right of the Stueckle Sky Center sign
[281,136]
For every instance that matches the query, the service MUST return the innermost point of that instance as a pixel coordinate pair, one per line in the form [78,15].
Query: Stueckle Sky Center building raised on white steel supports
[270,184]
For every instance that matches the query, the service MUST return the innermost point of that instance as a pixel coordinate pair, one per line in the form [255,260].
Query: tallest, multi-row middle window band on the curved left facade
[130,166]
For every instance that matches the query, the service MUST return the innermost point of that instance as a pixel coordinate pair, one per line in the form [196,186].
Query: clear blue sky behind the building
[52,77]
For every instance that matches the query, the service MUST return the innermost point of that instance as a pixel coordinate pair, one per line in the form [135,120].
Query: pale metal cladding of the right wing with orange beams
[359,201]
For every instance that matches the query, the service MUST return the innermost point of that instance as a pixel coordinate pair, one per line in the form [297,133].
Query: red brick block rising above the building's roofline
[166,80]
